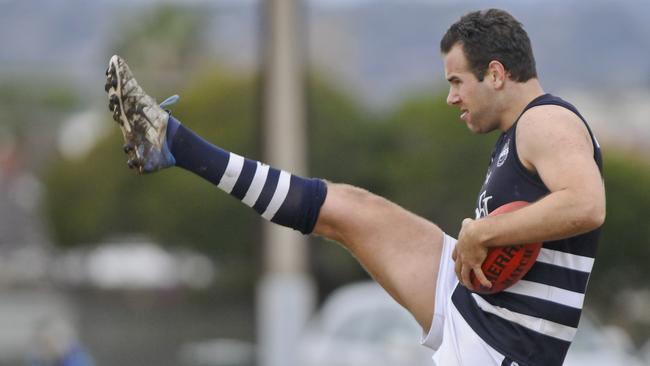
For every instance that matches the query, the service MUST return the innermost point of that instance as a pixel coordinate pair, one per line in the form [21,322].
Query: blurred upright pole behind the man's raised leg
[286,293]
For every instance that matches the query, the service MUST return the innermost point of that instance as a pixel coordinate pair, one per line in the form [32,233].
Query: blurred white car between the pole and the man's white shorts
[360,325]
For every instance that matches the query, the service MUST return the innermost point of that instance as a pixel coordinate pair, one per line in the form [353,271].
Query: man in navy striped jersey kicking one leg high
[546,155]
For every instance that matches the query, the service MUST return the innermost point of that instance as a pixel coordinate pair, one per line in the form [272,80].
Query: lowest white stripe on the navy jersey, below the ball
[543,326]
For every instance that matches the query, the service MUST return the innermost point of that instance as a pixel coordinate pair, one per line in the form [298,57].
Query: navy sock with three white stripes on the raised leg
[278,196]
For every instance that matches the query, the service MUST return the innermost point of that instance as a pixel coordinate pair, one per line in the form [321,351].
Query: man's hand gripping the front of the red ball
[469,255]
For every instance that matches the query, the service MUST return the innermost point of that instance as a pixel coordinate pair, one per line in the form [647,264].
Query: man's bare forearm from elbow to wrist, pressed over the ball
[559,215]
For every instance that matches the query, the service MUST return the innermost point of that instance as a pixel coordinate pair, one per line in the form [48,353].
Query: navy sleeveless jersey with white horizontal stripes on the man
[534,321]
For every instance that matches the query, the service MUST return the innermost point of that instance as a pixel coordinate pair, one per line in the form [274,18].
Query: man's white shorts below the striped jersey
[450,336]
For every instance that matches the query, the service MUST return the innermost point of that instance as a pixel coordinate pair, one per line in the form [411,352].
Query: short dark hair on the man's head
[492,34]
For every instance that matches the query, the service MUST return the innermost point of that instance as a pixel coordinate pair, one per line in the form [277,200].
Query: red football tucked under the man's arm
[504,266]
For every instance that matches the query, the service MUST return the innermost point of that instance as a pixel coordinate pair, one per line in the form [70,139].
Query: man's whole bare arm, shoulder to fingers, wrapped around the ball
[554,143]
